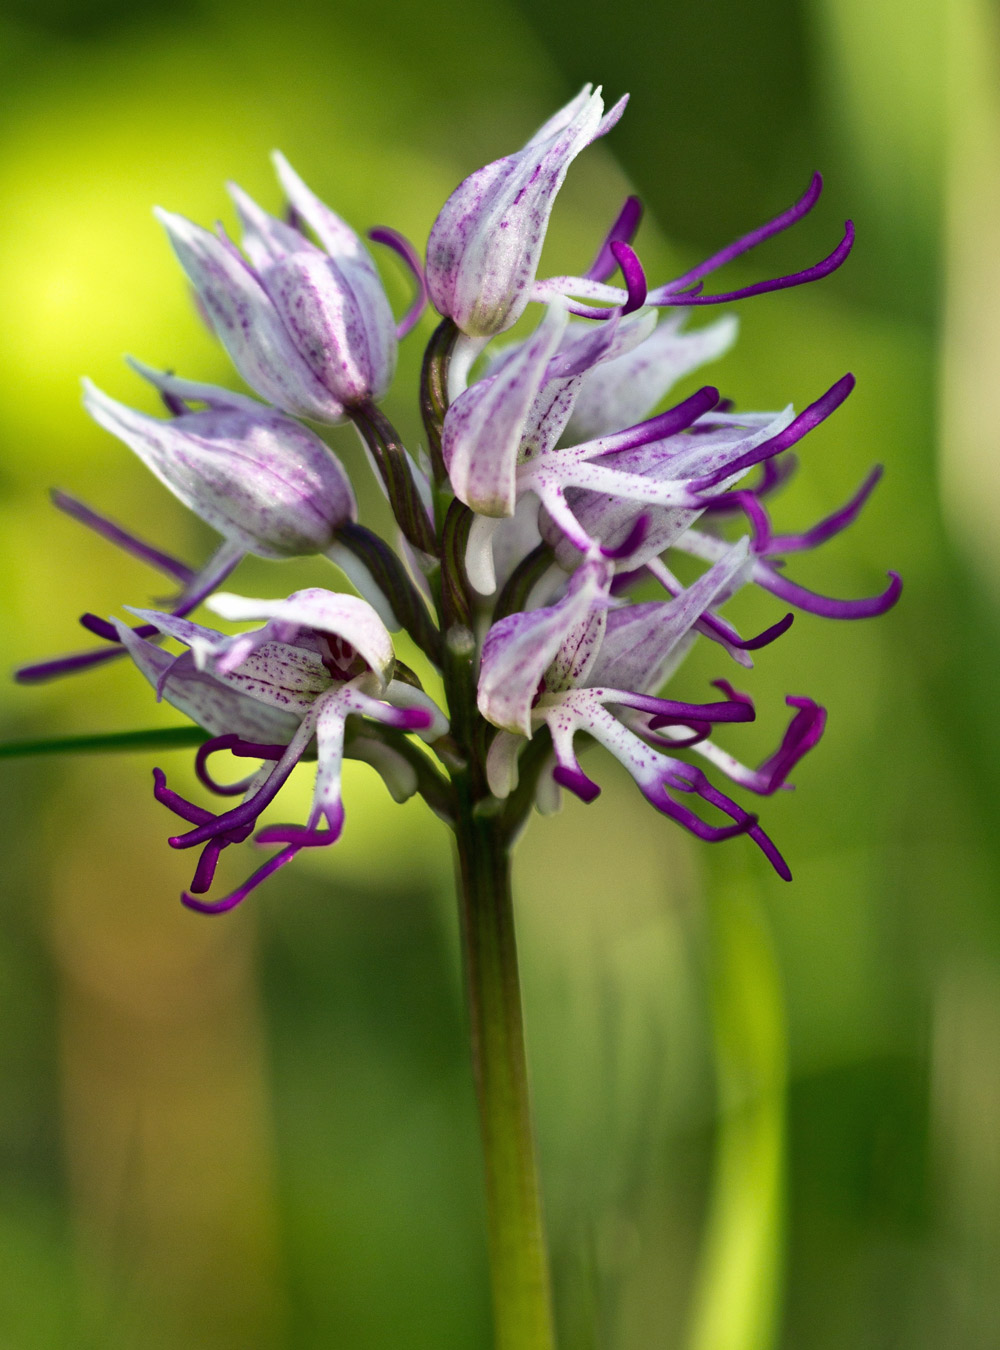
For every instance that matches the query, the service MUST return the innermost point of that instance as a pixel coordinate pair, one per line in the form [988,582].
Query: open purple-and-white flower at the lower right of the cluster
[565,668]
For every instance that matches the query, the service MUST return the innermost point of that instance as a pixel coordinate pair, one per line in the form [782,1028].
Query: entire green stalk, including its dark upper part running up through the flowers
[484,836]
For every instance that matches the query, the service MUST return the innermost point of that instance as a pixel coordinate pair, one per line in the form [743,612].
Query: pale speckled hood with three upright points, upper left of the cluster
[308,327]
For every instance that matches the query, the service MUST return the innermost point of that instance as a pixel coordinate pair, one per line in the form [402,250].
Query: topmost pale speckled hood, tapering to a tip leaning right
[487,244]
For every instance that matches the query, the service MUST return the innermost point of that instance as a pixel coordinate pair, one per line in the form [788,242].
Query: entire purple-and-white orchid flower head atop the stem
[538,530]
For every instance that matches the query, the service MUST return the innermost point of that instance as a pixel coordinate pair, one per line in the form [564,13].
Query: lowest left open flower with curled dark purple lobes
[271,695]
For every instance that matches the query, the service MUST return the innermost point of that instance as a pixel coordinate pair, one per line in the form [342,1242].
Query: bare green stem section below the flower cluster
[519,1264]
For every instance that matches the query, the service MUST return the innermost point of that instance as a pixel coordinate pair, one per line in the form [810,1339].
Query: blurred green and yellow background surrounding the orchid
[769,1116]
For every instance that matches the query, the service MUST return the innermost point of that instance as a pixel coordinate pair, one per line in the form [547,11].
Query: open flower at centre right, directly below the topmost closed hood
[501,443]
